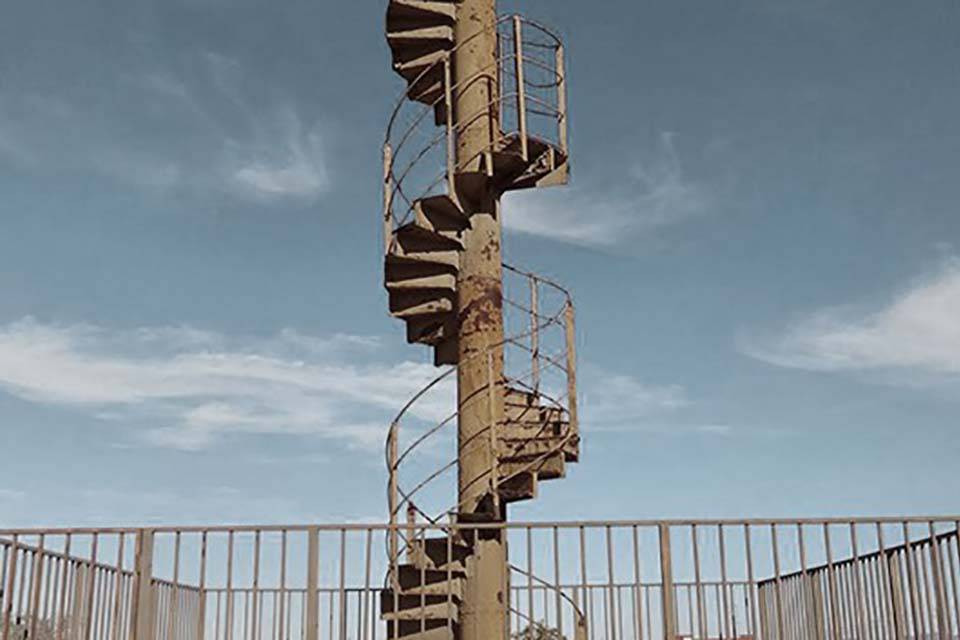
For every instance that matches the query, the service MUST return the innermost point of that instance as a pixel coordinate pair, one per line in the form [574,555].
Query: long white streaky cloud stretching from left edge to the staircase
[187,389]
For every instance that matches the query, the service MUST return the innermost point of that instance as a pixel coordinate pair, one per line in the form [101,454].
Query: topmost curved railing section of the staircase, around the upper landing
[530,99]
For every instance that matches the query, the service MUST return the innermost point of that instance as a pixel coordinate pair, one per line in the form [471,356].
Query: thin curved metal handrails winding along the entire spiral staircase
[400,165]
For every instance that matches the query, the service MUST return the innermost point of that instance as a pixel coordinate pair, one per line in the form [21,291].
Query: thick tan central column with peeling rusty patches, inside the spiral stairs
[483,614]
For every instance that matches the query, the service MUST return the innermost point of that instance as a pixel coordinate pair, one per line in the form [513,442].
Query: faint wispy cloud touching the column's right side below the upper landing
[652,195]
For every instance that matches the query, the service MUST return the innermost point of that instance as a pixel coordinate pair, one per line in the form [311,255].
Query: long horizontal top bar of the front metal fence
[559,524]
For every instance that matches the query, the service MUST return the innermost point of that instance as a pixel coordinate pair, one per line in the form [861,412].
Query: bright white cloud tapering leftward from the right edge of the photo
[916,332]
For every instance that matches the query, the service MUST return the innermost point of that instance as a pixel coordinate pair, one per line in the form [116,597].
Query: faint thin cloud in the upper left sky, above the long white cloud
[161,131]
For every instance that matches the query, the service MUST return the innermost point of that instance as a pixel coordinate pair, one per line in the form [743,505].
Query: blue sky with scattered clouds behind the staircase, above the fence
[761,235]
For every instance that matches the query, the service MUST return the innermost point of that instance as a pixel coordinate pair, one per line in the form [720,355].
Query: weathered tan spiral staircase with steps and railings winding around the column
[424,228]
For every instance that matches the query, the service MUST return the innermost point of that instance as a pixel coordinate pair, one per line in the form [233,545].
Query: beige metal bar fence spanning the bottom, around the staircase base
[781,579]
